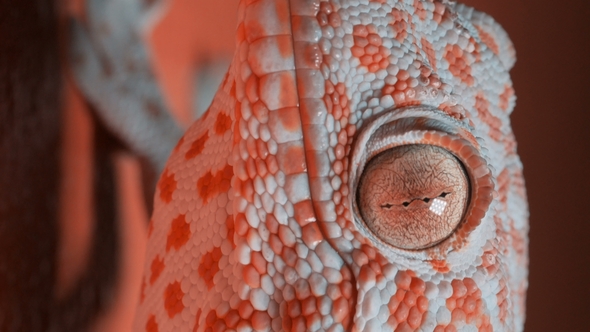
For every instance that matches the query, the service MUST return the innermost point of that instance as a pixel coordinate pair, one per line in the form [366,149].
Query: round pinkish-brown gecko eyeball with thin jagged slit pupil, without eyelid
[413,196]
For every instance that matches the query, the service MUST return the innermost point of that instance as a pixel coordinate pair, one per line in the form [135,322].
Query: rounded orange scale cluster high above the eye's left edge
[368,48]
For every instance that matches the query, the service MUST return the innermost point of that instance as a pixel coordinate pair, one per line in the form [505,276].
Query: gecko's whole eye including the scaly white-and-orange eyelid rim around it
[421,183]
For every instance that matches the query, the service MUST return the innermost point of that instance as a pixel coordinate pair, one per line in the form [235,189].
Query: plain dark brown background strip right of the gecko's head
[551,122]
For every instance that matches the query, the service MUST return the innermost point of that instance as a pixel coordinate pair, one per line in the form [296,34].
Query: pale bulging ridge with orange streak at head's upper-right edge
[491,33]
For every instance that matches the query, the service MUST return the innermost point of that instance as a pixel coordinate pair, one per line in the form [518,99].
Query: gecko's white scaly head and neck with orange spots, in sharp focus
[257,222]
